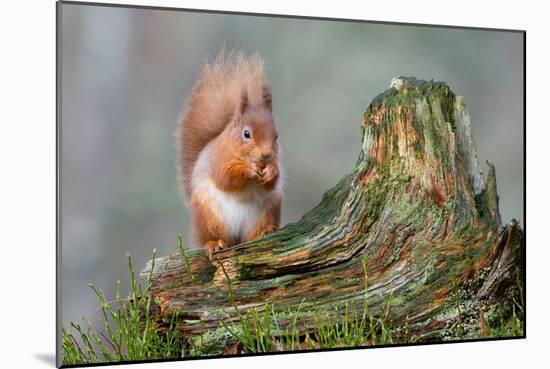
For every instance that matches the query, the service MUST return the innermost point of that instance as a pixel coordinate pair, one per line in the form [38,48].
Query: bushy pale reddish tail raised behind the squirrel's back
[212,105]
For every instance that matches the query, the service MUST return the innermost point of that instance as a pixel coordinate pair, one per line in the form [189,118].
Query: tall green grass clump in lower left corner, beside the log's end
[128,330]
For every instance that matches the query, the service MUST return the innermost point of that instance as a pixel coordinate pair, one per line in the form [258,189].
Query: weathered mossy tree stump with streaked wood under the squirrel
[415,205]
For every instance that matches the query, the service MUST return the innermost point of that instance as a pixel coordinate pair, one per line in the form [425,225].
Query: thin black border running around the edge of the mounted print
[287,16]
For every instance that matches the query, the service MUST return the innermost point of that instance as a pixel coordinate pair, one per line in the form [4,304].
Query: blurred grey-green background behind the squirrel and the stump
[125,74]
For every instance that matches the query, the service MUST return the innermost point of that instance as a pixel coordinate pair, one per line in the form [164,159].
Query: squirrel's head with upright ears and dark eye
[253,130]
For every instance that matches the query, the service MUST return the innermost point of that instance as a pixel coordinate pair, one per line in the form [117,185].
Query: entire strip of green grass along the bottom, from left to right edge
[128,330]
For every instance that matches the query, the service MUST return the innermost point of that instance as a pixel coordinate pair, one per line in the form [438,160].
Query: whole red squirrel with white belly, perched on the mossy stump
[229,155]
